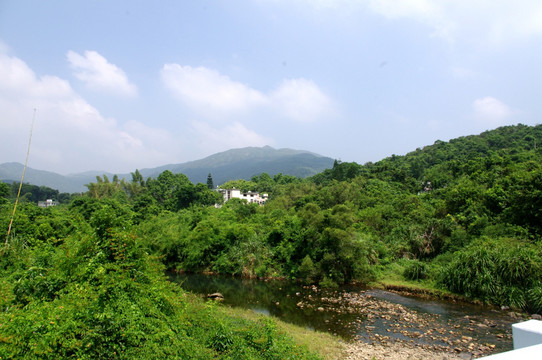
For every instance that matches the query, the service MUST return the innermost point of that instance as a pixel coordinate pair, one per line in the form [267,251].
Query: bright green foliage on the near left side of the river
[98,294]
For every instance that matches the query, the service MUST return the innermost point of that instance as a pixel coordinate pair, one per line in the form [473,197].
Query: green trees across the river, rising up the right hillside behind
[337,226]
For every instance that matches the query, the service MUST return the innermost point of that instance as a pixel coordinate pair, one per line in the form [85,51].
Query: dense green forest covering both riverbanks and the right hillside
[86,278]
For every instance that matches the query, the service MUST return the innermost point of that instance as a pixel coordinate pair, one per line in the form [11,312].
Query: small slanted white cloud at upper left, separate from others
[98,74]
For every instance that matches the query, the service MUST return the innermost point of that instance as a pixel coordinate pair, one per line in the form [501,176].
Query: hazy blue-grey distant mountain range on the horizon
[228,165]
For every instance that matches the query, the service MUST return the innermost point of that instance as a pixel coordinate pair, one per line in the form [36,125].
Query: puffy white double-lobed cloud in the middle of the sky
[207,92]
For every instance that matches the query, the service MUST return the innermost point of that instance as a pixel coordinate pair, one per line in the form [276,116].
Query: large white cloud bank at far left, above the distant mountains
[70,135]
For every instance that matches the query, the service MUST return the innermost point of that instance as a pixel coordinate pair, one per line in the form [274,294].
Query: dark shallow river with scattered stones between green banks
[369,315]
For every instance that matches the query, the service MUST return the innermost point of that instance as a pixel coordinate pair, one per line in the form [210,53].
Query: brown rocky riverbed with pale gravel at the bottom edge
[391,330]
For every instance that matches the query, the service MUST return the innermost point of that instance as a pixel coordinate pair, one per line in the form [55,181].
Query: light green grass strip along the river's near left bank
[328,346]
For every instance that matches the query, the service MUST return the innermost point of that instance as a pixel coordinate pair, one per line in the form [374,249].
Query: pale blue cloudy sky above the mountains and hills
[121,85]
